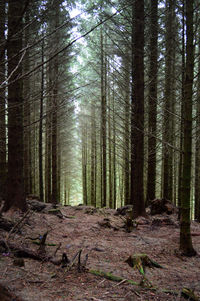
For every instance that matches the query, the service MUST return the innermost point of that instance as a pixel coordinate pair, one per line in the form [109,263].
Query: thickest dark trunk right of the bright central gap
[137,114]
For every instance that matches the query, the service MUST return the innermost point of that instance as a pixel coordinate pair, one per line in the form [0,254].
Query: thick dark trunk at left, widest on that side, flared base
[15,196]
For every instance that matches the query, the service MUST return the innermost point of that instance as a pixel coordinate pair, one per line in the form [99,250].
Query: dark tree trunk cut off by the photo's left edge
[3,164]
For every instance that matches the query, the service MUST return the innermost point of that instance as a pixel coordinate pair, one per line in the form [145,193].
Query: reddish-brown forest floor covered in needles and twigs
[100,233]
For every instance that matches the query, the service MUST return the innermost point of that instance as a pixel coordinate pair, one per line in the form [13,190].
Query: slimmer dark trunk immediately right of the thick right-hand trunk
[152,110]
